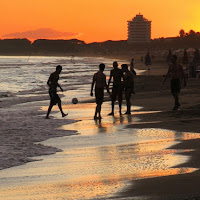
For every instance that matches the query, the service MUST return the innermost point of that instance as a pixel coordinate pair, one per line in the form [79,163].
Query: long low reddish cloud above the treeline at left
[42,33]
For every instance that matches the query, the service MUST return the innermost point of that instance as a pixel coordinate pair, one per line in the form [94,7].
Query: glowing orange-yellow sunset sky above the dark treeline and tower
[94,20]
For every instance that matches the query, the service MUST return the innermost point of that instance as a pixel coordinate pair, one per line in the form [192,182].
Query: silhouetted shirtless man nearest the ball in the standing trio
[99,80]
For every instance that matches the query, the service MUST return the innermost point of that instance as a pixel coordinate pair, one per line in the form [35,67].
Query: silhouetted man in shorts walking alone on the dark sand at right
[176,73]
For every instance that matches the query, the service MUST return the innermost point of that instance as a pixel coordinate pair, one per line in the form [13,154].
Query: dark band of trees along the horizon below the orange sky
[80,48]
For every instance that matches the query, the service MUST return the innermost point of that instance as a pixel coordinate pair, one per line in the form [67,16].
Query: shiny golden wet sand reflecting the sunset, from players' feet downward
[101,160]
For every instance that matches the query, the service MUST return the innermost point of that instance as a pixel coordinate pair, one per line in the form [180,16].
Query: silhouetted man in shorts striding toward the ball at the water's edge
[54,98]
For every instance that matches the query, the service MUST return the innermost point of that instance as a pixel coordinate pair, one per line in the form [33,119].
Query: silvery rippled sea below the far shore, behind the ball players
[23,73]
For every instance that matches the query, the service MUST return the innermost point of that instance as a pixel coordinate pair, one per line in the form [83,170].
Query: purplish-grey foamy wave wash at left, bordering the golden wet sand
[20,132]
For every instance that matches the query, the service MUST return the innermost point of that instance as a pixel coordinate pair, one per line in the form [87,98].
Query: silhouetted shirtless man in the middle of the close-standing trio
[117,75]
